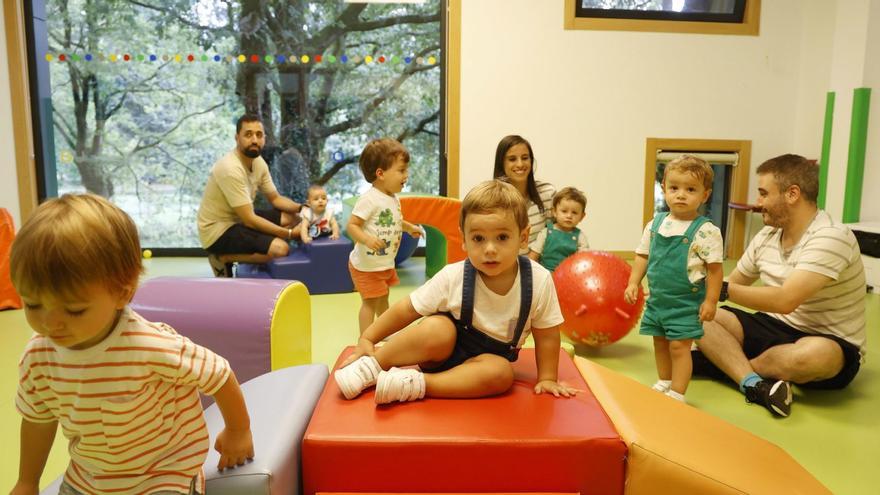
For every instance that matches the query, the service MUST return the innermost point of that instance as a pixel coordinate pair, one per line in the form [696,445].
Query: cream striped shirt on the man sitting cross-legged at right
[828,248]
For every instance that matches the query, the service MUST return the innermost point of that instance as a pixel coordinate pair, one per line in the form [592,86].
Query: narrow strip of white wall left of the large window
[8,181]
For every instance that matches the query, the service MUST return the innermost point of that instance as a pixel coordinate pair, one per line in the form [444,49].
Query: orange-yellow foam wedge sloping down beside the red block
[676,449]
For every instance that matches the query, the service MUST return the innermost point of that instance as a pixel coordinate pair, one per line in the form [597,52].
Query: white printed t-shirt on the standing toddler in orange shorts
[383,219]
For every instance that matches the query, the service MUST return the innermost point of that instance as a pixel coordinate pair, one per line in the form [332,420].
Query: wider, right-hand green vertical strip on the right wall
[855,164]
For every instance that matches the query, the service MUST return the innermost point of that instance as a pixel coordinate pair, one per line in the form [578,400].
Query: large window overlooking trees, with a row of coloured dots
[136,99]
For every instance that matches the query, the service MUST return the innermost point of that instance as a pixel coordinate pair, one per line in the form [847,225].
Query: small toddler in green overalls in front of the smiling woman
[562,238]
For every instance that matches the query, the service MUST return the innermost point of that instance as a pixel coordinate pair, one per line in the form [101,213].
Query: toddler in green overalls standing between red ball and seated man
[681,251]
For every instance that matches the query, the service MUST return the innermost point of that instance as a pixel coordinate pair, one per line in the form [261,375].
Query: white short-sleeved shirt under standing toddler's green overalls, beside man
[708,247]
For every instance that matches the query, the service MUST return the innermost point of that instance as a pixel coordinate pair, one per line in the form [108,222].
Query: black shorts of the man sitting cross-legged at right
[762,331]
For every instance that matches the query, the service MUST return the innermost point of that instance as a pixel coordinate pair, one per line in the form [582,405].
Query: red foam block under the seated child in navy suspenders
[516,442]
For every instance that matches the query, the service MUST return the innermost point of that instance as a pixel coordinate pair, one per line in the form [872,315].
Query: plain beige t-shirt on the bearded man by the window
[229,186]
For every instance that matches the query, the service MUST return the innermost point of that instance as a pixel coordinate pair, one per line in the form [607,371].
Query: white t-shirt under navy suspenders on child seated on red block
[494,314]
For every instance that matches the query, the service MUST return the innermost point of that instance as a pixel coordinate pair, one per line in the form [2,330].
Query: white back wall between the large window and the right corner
[587,100]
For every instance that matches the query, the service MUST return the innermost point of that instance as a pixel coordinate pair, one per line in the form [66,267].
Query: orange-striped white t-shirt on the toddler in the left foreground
[129,406]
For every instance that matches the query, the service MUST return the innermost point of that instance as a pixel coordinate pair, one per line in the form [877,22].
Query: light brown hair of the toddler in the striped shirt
[73,241]
